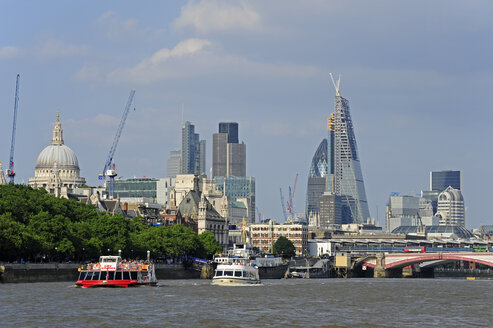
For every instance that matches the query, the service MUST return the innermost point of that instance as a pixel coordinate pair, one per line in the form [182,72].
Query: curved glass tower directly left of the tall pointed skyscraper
[317,179]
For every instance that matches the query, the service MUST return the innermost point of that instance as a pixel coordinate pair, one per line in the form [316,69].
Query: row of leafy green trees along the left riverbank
[35,226]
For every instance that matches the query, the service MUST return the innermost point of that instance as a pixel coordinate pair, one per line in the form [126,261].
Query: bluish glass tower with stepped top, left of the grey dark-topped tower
[191,162]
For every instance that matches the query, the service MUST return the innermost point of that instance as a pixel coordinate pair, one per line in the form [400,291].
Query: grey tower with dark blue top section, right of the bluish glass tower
[228,156]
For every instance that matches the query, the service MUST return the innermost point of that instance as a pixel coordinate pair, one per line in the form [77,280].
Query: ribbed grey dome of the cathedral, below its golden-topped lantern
[63,156]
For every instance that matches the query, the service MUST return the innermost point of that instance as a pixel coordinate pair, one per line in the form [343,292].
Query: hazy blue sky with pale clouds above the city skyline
[418,76]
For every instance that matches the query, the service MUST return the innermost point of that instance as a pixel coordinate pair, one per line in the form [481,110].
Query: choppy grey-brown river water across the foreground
[275,303]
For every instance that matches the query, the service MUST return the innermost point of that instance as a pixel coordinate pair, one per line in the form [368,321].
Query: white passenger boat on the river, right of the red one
[239,272]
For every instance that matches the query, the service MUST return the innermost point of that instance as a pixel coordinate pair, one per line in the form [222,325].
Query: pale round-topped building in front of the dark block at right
[451,207]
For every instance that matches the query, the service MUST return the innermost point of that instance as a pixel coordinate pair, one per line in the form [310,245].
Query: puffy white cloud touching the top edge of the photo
[211,16]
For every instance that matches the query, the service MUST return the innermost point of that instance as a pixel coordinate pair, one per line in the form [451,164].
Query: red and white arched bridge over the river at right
[401,260]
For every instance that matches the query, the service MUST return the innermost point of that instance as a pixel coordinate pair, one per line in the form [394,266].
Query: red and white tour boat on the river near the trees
[111,271]
